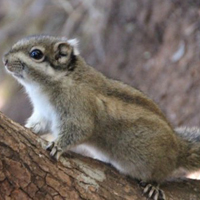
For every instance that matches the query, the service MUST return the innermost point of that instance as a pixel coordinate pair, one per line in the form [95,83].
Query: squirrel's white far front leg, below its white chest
[37,124]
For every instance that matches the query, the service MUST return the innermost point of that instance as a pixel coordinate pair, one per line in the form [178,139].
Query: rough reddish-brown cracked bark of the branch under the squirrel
[28,172]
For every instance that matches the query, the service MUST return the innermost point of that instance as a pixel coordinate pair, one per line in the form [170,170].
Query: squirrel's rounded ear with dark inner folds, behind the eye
[63,52]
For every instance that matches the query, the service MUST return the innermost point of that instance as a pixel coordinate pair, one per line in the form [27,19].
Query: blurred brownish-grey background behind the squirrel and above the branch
[153,45]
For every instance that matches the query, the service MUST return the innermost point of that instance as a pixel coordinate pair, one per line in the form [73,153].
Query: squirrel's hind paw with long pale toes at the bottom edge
[152,191]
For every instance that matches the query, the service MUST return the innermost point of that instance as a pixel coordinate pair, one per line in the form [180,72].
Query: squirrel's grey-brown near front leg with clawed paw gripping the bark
[71,134]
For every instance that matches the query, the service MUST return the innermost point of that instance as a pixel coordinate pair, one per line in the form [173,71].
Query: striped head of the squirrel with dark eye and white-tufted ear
[40,56]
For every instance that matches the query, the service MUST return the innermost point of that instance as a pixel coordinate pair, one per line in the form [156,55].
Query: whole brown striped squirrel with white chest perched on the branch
[84,109]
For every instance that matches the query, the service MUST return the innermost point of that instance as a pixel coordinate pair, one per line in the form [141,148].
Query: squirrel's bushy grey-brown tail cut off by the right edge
[189,148]
